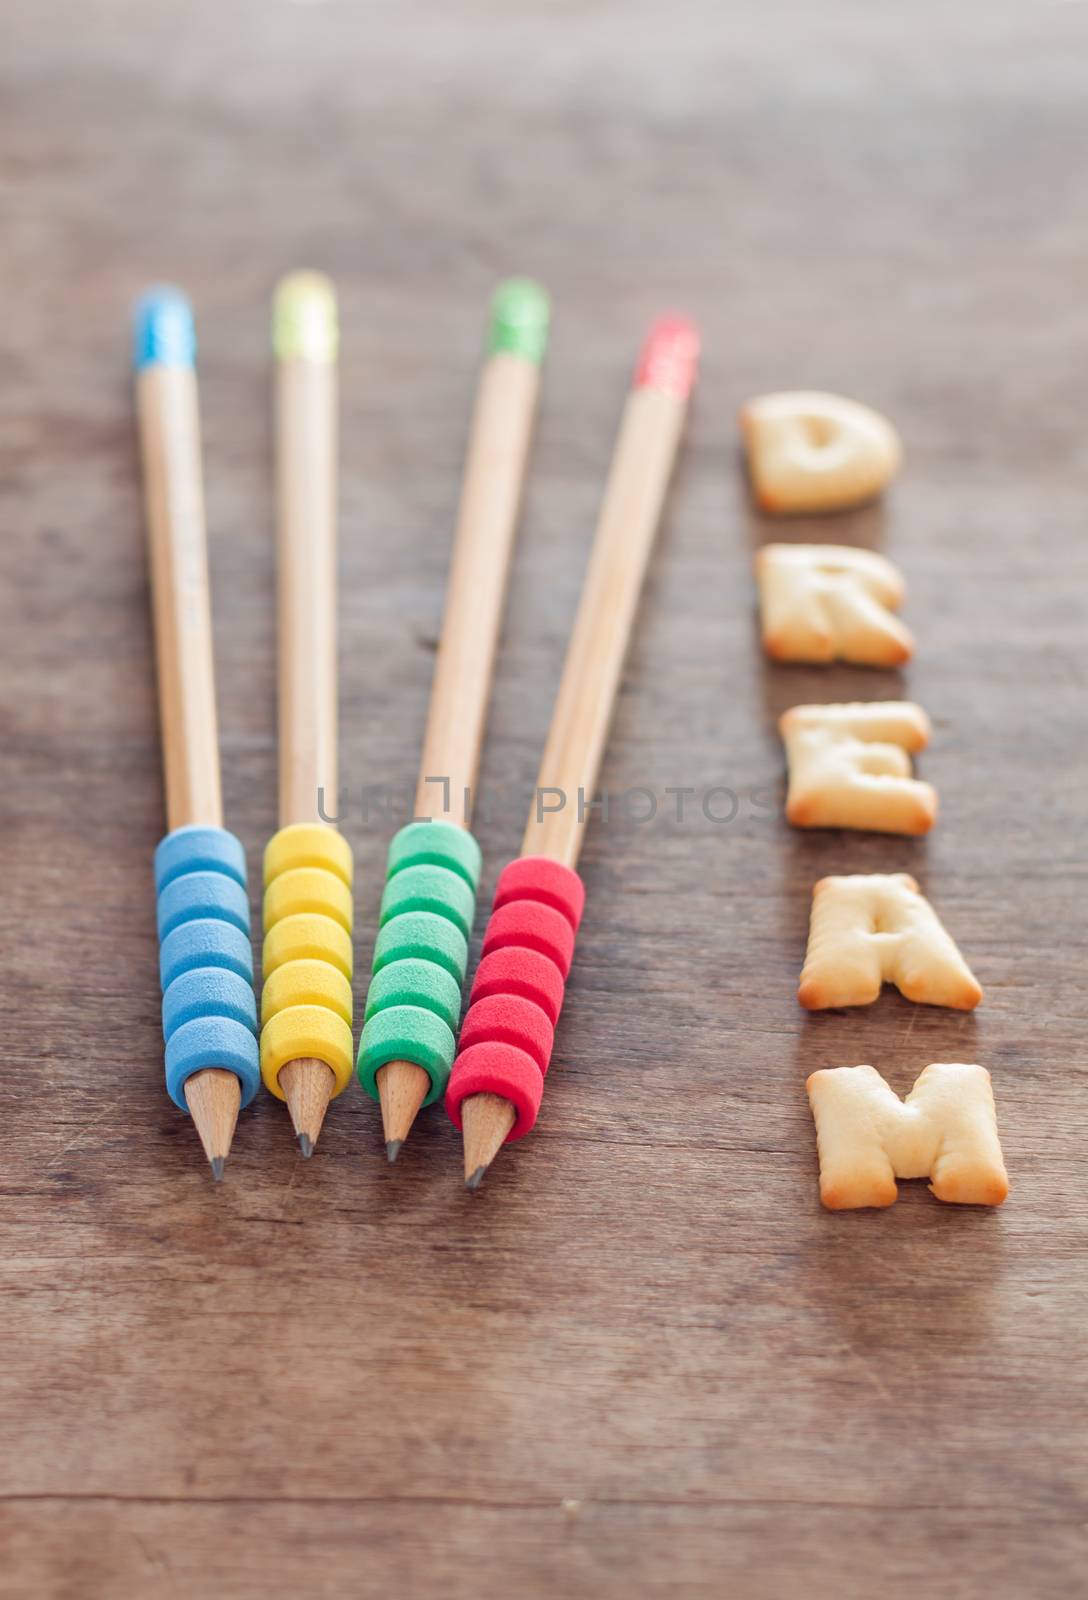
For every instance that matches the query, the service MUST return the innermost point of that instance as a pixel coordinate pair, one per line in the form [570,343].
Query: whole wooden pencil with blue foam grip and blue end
[204,911]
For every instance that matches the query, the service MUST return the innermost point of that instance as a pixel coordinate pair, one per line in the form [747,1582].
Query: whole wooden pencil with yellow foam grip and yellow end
[306,1001]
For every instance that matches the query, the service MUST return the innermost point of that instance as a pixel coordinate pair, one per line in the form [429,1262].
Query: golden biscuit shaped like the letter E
[849,767]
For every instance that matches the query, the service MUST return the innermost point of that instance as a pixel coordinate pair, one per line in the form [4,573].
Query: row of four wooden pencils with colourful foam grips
[415,1046]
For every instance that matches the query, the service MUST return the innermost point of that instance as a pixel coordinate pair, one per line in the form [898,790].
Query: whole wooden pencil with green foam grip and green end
[434,863]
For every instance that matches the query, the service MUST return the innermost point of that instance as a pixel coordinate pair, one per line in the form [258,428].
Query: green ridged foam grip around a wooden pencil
[422,953]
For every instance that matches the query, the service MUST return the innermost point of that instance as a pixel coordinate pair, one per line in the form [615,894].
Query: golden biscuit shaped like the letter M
[946,1130]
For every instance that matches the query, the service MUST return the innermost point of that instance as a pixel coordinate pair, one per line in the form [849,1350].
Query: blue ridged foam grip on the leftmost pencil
[206,961]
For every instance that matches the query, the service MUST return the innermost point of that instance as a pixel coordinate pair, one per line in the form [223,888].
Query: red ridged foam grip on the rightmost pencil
[506,1038]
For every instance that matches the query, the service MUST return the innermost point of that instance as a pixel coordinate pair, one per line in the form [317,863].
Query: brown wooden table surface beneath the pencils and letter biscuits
[642,1361]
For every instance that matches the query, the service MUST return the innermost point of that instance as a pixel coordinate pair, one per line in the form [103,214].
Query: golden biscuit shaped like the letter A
[874,929]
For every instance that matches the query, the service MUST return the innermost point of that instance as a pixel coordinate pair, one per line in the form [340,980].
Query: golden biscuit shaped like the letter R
[831,602]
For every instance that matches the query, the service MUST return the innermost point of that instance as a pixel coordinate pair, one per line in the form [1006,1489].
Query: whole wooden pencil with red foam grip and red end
[506,1039]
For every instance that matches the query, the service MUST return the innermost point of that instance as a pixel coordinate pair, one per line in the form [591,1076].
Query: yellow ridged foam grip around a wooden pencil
[306,1002]
